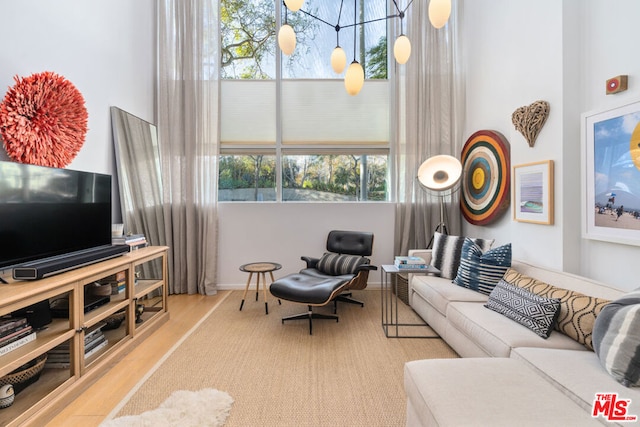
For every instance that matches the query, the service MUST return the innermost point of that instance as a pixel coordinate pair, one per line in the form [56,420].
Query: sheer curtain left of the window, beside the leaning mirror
[188,132]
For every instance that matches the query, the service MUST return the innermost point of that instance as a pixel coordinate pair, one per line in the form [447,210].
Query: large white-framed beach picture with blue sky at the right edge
[611,174]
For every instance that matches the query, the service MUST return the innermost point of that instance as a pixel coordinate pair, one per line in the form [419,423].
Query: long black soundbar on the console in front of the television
[50,266]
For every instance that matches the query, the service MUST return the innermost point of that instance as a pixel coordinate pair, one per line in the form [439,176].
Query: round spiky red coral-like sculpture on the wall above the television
[43,120]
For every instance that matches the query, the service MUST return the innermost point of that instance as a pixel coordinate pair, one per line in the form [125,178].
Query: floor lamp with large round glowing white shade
[440,175]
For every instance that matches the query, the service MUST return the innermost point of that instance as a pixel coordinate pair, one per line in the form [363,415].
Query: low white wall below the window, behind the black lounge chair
[283,232]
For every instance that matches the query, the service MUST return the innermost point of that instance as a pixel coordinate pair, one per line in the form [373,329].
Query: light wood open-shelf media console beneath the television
[82,343]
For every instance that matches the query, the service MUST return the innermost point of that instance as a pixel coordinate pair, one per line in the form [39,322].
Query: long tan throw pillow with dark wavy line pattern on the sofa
[578,312]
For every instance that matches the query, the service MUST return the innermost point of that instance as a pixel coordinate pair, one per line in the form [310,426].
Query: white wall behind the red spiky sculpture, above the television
[106,48]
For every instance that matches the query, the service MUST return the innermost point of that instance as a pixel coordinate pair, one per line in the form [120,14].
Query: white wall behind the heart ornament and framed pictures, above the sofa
[561,52]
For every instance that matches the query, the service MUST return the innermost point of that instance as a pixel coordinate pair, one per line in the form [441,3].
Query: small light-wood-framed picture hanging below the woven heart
[533,192]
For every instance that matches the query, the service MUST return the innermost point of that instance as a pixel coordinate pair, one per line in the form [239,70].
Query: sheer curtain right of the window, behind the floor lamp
[429,106]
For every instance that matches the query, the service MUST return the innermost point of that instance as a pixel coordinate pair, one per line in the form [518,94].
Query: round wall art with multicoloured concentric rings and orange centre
[485,177]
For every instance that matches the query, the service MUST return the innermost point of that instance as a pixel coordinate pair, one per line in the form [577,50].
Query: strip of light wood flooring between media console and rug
[100,398]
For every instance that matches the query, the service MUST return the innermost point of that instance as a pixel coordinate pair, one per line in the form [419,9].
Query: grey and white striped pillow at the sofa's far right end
[616,339]
